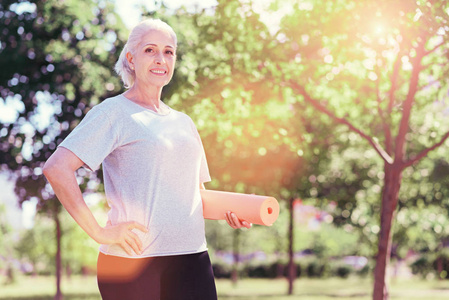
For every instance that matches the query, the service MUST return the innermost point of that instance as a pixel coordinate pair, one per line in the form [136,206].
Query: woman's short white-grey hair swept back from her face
[122,66]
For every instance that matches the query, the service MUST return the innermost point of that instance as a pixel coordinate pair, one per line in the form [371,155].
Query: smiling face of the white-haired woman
[154,59]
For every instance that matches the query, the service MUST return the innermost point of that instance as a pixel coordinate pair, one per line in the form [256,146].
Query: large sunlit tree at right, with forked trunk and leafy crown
[377,68]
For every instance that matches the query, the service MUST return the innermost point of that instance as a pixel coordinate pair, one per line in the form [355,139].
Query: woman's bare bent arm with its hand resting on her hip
[60,172]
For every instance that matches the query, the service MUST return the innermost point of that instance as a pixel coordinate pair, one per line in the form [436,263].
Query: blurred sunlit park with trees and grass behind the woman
[339,109]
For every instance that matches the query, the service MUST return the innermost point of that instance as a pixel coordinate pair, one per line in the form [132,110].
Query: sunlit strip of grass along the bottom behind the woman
[43,288]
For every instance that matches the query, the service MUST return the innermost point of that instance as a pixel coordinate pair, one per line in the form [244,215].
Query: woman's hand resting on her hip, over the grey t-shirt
[123,235]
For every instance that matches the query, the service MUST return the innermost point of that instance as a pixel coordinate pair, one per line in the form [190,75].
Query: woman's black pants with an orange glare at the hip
[178,277]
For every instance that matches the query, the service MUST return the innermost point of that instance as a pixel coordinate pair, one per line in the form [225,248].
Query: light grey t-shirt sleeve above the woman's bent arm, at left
[93,139]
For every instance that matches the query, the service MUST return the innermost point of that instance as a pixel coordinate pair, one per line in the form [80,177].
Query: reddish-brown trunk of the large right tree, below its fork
[390,193]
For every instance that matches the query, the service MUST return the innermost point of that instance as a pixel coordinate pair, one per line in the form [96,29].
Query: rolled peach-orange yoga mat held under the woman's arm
[255,209]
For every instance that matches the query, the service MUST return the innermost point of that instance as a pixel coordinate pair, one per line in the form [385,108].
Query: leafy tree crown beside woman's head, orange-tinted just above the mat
[247,127]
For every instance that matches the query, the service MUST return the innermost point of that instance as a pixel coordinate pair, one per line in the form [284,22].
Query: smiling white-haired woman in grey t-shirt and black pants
[153,245]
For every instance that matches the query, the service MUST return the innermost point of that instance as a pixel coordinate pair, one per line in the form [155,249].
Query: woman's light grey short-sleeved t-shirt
[152,166]
